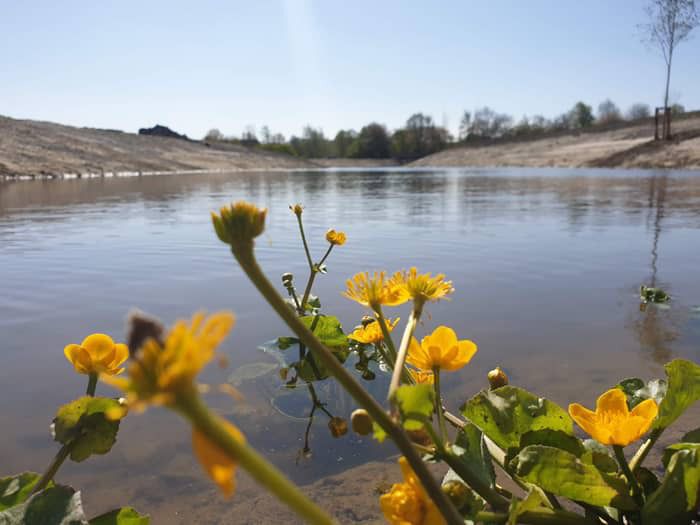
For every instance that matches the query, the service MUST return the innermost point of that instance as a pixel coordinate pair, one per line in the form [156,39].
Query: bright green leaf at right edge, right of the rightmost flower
[683,391]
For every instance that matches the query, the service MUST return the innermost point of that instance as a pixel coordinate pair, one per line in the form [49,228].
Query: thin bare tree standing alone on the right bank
[670,23]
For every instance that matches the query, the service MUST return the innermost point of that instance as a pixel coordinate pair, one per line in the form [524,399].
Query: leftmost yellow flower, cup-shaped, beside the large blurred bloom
[97,354]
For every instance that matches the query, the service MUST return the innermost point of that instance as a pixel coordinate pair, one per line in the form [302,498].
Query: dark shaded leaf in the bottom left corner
[57,505]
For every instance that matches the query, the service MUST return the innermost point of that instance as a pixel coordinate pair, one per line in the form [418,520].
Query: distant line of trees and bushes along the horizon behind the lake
[420,136]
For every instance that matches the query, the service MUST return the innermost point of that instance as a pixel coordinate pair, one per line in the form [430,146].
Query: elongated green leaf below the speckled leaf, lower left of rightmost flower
[563,474]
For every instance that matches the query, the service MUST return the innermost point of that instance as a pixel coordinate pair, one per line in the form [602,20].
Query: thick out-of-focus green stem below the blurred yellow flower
[191,406]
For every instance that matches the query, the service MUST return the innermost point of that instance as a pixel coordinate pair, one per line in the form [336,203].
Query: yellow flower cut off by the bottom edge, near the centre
[407,503]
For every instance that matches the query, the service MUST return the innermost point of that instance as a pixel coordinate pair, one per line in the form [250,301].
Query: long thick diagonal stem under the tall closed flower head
[243,252]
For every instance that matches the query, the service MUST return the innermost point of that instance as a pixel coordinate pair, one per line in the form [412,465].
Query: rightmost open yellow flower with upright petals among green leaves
[612,423]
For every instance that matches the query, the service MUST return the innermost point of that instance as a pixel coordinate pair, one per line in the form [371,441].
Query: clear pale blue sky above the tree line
[198,65]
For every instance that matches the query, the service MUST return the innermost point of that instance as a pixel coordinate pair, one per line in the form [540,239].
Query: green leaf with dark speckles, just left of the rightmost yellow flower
[506,413]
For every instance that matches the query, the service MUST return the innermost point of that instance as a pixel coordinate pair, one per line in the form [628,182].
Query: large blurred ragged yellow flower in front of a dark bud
[163,369]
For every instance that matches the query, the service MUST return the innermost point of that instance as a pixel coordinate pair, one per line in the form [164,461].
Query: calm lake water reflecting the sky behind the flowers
[546,265]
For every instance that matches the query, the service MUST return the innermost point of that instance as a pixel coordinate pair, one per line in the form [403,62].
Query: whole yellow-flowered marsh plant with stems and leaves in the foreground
[556,476]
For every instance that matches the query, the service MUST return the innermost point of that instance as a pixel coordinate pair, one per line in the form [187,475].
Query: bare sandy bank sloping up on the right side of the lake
[626,147]
